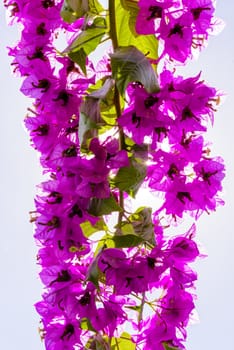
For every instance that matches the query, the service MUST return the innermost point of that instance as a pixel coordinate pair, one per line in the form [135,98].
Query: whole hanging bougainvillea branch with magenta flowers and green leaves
[110,119]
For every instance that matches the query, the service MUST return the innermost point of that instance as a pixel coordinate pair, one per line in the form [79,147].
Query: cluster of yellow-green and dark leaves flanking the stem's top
[124,59]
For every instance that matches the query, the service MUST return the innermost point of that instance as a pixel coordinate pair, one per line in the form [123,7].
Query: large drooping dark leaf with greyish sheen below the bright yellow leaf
[130,65]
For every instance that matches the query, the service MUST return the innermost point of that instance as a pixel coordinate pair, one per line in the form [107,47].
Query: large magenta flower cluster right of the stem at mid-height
[175,120]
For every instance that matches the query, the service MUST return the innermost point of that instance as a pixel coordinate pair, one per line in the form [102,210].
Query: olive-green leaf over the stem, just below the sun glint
[129,179]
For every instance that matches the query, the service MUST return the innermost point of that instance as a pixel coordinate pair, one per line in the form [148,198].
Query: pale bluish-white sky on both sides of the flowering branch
[19,285]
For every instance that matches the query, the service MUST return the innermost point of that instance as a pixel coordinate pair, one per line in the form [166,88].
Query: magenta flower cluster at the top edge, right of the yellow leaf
[181,25]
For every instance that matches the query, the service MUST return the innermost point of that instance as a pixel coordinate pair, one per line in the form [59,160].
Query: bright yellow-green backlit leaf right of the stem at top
[126,13]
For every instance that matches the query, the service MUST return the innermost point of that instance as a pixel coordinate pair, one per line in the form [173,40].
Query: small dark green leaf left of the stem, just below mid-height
[103,206]
